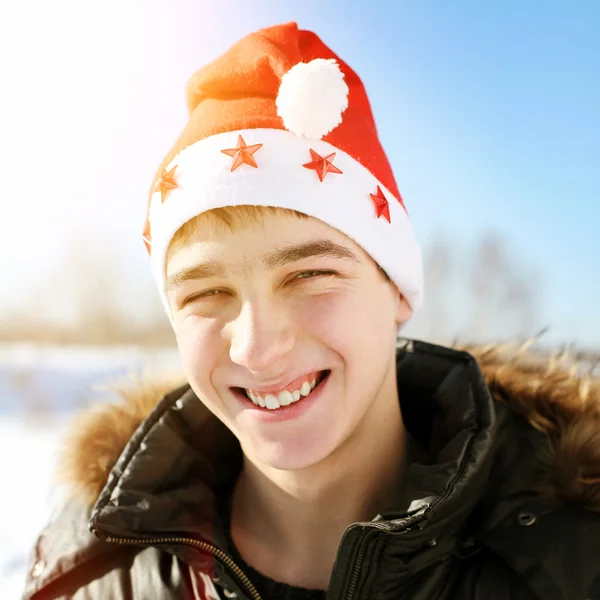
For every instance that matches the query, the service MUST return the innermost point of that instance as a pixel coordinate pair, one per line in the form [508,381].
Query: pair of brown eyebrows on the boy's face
[271,260]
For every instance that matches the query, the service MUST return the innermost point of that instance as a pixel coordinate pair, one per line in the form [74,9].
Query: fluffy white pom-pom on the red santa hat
[312,97]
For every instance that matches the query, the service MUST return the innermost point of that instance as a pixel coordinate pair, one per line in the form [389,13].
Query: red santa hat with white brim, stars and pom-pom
[280,120]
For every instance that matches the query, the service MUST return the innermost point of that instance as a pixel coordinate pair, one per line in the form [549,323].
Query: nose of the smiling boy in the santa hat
[260,336]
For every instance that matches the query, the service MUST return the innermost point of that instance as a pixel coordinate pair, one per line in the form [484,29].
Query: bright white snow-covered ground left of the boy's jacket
[40,390]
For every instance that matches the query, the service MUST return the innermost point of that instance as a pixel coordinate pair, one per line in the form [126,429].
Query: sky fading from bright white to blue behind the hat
[489,112]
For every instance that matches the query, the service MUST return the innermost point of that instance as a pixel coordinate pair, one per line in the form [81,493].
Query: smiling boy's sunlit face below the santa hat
[262,323]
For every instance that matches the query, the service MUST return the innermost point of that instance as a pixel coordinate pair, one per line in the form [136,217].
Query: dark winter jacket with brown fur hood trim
[508,508]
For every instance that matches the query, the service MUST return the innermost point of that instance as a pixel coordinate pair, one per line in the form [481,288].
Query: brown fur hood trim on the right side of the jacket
[560,397]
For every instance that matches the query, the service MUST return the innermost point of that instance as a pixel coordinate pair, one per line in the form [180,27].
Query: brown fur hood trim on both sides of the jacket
[553,394]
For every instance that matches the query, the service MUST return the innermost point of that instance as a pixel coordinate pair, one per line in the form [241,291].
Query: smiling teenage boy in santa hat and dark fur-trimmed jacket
[311,454]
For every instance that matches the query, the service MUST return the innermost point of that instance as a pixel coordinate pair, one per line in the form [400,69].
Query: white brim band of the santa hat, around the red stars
[205,181]
